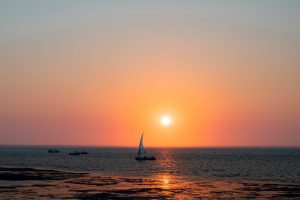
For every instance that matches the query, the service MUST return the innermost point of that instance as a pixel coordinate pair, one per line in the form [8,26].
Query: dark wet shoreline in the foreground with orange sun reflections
[23,183]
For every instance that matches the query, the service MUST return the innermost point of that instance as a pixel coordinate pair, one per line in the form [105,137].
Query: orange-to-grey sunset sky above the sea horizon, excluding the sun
[226,73]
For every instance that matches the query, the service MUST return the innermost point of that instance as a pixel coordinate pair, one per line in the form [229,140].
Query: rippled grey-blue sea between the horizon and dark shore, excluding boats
[261,164]
